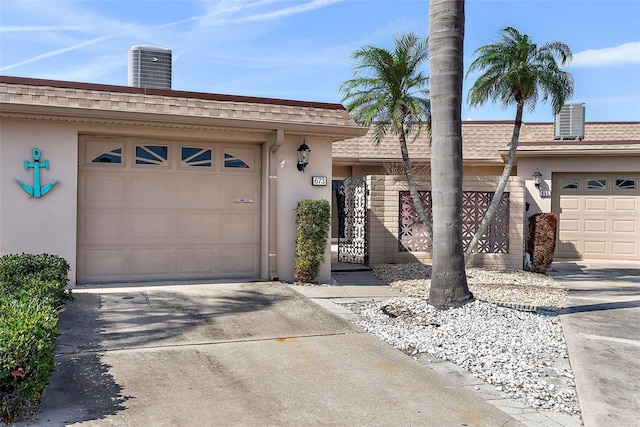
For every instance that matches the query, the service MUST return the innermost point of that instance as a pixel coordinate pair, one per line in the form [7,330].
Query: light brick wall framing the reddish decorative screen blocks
[383,221]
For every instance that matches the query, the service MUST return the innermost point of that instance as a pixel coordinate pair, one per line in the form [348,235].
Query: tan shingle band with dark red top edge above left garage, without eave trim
[106,99]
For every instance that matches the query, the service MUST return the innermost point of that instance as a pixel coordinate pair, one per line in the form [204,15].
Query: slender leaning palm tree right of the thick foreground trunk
[516,70]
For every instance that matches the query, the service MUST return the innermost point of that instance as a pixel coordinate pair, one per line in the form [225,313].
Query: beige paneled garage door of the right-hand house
[599,215]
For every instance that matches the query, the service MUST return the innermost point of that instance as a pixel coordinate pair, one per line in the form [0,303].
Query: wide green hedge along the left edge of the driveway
[32,290]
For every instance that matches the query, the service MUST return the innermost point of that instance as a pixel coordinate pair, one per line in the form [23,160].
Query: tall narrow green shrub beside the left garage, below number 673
[313,219]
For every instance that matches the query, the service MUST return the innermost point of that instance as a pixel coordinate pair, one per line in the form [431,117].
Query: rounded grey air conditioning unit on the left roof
[150,67]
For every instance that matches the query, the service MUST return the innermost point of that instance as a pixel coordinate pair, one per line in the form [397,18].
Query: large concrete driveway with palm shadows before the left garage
[238,354]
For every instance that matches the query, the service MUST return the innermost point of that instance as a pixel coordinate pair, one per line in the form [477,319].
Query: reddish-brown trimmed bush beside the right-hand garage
[542,240]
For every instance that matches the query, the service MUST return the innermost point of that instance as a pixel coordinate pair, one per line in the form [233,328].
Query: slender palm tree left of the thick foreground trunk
[389,90]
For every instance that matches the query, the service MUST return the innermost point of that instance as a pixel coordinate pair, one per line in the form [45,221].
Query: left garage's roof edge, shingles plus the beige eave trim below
[87,101]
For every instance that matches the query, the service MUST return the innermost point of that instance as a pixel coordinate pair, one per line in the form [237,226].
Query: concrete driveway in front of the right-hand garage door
[602,329]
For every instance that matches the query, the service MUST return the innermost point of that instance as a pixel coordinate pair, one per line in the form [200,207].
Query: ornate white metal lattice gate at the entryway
[352,220]
